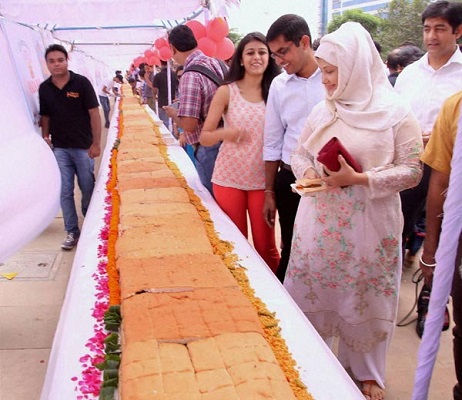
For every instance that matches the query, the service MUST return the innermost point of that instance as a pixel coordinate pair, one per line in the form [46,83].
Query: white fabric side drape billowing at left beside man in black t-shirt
[29,176]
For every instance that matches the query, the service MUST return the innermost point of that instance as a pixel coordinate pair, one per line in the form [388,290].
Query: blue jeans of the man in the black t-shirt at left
[73,162]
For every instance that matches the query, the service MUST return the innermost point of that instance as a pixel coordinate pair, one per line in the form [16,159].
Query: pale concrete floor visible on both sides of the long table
[30,305]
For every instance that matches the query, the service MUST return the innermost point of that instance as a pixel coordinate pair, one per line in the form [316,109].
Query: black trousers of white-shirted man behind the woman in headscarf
[413,204]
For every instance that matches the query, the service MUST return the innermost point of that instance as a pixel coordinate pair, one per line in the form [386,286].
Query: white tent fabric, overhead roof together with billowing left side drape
[101,36]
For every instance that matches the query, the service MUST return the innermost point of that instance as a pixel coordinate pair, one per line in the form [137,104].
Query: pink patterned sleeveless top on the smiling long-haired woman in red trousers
[240,165]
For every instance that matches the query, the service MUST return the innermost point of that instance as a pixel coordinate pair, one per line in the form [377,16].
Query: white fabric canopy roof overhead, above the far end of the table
[112,32]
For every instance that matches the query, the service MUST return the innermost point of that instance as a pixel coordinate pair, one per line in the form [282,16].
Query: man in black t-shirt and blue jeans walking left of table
[71,125]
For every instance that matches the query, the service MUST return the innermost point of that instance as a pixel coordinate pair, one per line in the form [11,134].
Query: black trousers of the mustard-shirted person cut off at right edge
[457,317]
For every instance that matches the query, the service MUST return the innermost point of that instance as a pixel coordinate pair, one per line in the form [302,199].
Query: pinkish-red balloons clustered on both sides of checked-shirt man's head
[211,39]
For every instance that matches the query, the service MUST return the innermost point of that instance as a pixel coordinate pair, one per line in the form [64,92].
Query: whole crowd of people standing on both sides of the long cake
[253,131]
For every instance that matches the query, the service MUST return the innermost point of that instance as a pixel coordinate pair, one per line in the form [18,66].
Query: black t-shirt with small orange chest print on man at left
[67,108]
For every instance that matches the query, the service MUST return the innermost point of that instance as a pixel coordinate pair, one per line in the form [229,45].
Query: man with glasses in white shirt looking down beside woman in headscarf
[291,98]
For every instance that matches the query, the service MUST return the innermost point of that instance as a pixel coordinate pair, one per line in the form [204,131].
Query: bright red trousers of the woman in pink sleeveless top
[236,204]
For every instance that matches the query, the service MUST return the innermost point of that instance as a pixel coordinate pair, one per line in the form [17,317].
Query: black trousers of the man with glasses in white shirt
[287,205]
